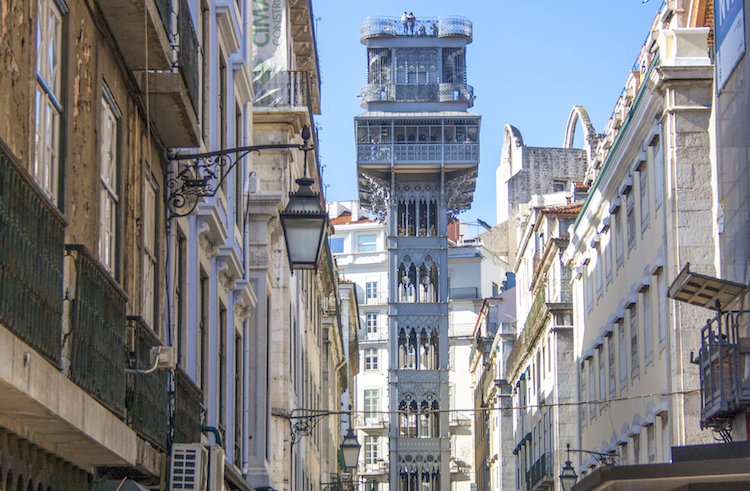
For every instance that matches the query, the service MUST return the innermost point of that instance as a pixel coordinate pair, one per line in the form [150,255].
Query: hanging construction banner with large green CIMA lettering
[270,39]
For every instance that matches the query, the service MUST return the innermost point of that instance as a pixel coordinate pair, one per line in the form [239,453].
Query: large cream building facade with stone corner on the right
[646,216]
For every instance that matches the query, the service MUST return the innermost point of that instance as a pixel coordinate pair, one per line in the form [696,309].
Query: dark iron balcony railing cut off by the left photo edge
[31,260]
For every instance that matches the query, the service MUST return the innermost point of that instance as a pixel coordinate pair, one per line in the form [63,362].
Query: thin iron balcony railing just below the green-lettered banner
[282,89]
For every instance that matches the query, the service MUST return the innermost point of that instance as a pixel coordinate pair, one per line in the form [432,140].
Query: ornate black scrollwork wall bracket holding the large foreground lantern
[200,175]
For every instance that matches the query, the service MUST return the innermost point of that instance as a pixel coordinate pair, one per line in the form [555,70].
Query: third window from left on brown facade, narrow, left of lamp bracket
[150,190]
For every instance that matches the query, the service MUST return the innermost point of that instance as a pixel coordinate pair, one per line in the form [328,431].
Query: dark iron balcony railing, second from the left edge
[97,335]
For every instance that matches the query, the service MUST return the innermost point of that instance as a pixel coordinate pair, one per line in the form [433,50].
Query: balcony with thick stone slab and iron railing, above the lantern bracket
[173,92]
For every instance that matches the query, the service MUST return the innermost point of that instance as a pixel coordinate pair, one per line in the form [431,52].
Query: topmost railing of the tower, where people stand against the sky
[441,27]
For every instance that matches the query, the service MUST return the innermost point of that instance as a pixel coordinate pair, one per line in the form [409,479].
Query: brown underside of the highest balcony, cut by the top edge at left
[126,23]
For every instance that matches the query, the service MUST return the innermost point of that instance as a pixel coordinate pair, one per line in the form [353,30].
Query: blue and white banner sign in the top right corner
[729,30]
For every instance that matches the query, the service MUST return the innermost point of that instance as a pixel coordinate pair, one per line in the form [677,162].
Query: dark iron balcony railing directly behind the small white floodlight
[147,400]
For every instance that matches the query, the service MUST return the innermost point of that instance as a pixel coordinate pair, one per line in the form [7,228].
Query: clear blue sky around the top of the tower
[530,63]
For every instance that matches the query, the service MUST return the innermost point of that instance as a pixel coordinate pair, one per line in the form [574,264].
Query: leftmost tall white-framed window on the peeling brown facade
[48,97]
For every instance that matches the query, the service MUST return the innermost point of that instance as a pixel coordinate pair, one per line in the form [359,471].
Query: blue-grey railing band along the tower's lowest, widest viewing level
[417,153]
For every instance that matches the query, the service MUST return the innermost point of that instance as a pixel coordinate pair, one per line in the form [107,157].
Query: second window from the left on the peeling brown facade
[109,198]
